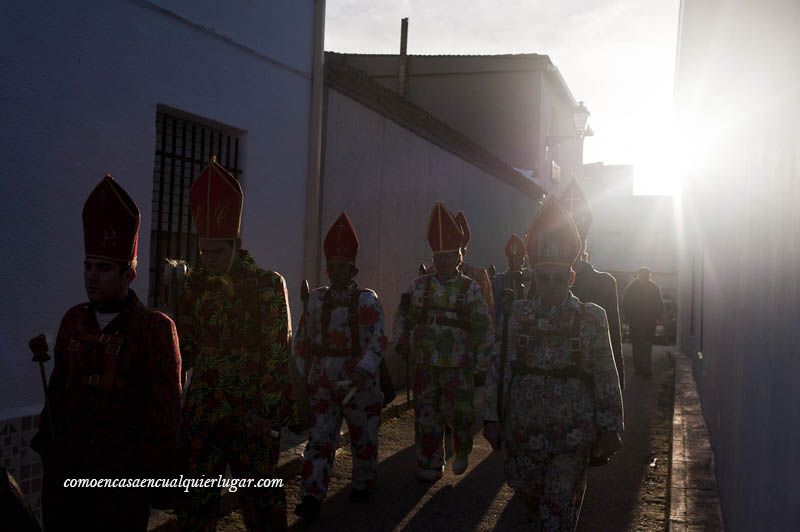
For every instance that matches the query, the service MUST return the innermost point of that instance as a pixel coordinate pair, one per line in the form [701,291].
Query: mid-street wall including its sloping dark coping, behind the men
[386,161]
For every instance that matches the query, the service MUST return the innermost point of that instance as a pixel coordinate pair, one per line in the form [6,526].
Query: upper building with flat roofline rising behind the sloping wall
[510,104]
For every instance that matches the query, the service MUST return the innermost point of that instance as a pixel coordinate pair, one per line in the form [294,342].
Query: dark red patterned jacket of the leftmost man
[114,394]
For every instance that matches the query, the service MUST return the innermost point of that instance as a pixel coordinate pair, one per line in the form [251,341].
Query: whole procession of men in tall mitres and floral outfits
[132,395]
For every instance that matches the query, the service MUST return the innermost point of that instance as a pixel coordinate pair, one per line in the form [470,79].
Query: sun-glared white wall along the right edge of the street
[742,234]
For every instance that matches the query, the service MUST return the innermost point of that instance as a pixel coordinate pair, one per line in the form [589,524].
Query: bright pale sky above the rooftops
[616,55]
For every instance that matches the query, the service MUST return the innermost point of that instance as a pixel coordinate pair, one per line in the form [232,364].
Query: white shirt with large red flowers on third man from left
[309,345]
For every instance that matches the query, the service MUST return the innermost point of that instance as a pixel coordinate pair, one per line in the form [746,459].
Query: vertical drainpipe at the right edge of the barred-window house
[313,208]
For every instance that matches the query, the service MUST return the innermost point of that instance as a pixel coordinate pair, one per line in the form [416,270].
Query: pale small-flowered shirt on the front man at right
[550,413]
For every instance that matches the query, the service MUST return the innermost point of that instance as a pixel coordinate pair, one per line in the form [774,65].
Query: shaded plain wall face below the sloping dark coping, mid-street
[386,178]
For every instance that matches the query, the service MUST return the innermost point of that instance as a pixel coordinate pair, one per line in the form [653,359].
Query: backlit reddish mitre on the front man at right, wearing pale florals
[552,237]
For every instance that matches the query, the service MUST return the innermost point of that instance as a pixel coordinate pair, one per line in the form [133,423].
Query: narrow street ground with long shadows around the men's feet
[627,495]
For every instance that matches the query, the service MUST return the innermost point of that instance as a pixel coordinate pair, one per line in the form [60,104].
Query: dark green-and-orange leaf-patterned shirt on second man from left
[235,335]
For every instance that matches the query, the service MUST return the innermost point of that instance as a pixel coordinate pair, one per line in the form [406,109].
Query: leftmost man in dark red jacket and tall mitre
[114,394]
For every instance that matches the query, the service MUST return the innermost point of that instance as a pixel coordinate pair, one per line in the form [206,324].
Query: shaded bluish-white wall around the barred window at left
[81,84]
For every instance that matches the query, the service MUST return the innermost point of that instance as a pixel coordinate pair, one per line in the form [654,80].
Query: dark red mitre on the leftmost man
[111,224]
